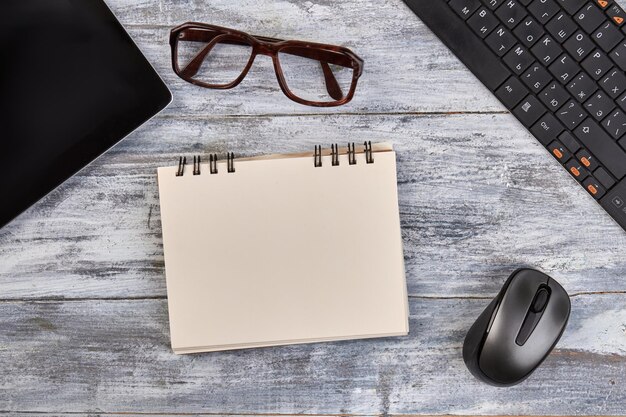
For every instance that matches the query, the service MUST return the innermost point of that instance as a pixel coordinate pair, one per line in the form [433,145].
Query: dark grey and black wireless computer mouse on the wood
[518,330]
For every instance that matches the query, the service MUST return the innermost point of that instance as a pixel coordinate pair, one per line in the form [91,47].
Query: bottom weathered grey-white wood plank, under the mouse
[114,357]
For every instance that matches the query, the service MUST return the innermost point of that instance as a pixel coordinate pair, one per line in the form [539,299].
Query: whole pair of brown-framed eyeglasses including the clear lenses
[308,73]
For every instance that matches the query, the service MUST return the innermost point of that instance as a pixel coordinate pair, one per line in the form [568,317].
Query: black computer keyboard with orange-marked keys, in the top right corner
[558,66]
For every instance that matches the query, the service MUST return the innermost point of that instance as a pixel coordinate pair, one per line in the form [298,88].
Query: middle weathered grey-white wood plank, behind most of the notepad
[478,197]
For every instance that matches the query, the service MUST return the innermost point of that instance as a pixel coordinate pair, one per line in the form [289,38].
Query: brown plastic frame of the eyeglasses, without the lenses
[262,45]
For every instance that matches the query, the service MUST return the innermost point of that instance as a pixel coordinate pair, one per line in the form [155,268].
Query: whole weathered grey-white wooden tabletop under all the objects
[83,311]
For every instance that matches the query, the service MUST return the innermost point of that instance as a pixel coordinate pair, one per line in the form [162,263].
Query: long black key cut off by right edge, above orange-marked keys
[594,138]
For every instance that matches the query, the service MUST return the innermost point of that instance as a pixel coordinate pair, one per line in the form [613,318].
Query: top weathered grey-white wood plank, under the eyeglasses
[407,69]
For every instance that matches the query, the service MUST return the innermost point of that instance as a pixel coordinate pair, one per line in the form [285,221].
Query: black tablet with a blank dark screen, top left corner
[72,84]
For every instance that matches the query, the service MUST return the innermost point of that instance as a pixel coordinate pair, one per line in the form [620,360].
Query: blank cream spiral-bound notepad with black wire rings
[283,249]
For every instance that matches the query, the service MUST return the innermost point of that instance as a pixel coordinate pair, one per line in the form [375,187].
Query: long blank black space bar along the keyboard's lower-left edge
[460,39]
